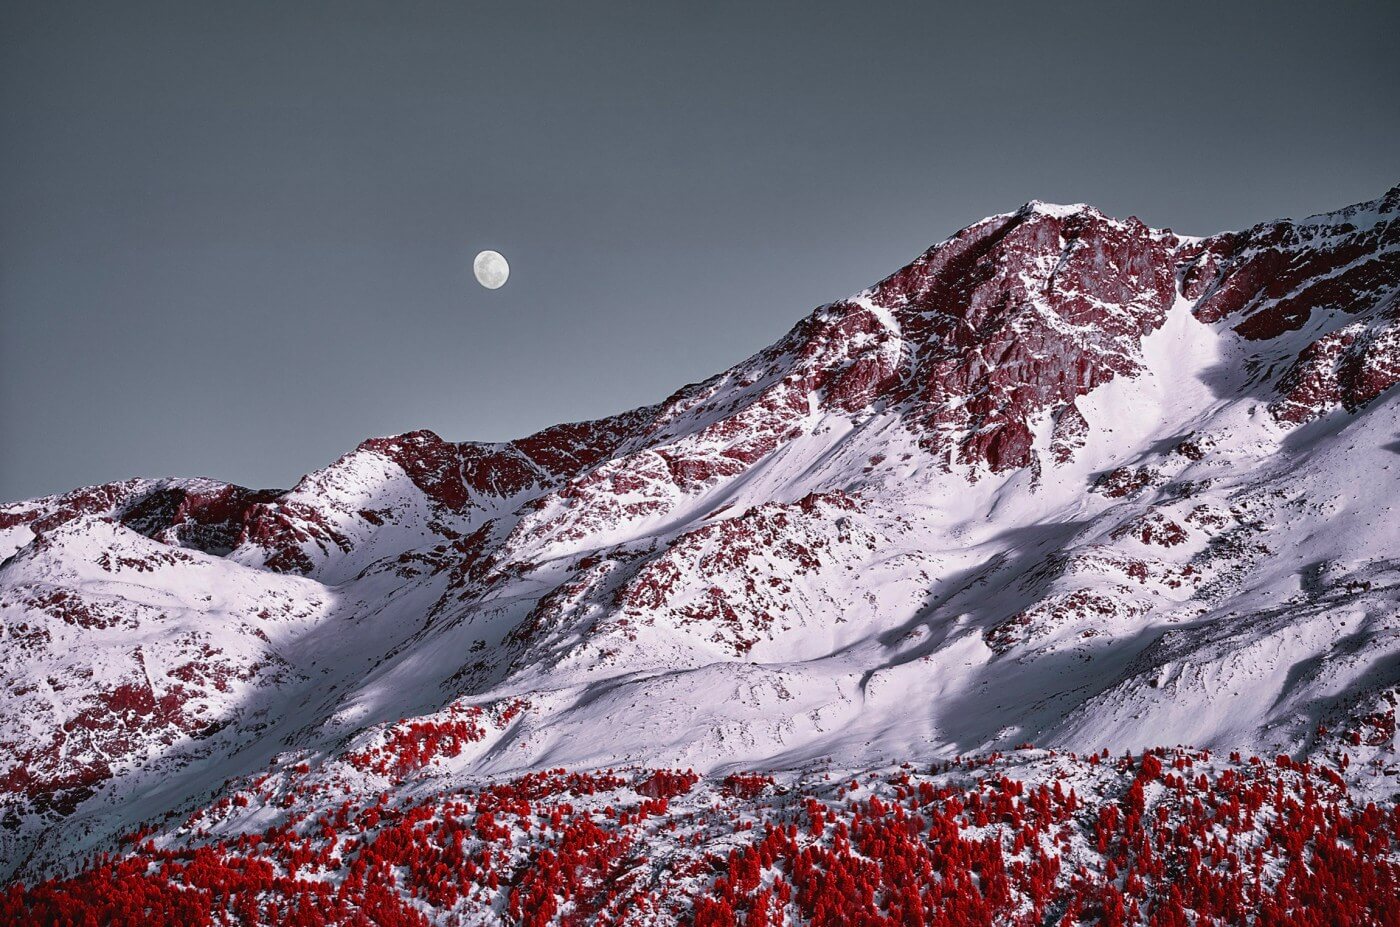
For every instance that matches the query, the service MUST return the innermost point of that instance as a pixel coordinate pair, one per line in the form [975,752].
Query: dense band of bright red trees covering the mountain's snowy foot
[1172,839]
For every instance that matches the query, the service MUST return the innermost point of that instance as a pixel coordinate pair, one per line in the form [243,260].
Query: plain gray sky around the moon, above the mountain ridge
[236,239]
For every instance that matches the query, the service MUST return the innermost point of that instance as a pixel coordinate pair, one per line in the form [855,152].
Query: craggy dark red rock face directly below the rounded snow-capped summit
[1018,317]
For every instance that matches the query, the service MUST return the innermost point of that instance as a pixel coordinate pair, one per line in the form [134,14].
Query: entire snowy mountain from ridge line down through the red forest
[1063,481]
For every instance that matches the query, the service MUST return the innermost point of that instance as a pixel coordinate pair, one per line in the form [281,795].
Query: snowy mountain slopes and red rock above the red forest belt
[1063,481]
